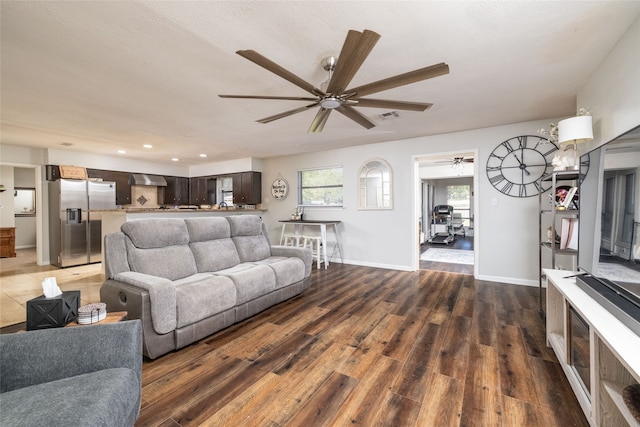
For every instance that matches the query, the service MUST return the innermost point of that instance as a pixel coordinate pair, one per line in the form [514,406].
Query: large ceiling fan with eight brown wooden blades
[336,96]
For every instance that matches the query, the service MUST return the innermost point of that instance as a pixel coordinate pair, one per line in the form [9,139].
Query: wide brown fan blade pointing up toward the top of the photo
[356,48]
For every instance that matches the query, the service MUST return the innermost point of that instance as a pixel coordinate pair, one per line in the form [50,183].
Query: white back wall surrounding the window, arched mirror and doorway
[506,243]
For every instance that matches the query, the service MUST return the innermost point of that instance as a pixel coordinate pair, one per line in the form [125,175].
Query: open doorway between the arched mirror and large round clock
[447,212]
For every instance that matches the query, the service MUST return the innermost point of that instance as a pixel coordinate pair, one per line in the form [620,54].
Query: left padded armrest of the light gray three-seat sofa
[162,295]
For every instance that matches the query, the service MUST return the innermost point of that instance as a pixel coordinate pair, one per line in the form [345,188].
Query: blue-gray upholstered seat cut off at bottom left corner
[78,376]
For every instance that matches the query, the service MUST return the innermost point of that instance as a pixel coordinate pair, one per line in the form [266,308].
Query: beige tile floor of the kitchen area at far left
[21,280]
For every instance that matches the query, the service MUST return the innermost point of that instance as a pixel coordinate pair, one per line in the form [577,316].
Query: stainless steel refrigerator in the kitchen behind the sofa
[75,228]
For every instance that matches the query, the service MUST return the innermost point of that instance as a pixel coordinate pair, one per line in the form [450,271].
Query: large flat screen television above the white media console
[609,226]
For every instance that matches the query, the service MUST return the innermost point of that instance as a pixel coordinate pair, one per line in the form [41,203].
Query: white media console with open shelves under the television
[599,354]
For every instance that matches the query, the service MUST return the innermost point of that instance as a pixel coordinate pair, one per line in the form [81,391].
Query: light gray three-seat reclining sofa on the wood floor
[188,278]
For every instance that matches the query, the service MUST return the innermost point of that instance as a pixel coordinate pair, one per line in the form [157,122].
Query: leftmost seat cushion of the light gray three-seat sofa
[197,300]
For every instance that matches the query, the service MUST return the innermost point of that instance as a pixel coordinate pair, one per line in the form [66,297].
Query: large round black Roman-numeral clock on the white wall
[516,165]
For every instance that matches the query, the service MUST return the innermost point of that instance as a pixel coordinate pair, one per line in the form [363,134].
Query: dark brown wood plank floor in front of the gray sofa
[371,347]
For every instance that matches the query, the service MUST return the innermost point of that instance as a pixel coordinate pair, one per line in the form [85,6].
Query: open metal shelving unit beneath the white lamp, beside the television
[550,219]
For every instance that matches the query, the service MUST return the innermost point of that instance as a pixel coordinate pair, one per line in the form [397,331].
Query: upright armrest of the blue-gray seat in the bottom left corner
[42,356]
